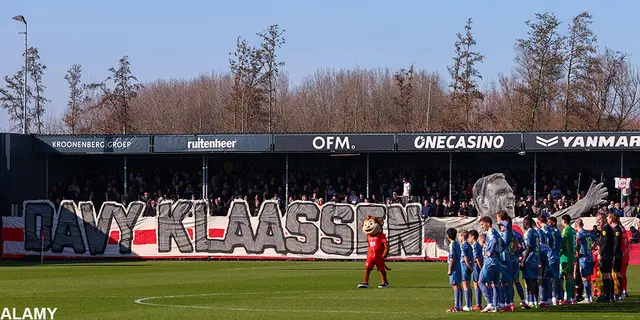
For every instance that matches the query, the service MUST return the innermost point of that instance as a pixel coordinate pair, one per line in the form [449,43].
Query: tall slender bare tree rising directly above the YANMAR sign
[580,49]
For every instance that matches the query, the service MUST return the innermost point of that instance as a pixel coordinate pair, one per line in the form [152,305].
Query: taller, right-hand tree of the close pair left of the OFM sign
[272,39]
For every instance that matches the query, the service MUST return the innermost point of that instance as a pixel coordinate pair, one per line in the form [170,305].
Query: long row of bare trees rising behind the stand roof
[557,81]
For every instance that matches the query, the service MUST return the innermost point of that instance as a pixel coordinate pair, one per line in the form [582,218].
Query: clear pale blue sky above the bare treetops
[180,39]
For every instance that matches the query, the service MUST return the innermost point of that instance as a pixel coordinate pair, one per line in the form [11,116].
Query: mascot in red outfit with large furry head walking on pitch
[378,250]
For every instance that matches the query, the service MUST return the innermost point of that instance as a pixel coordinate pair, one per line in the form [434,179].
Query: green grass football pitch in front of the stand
[255,290]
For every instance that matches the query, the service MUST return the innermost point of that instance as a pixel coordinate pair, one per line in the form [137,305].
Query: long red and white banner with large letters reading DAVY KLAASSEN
[183,229]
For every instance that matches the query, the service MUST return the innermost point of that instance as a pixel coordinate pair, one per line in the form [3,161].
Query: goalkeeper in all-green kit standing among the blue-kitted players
[568,259]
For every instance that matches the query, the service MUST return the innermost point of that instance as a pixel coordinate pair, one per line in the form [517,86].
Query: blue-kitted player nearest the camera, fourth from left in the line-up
[490,275]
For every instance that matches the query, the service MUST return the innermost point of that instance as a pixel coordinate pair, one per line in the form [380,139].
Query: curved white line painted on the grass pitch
[143,301]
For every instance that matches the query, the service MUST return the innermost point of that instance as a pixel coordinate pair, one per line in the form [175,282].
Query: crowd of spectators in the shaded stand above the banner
[337,181]
